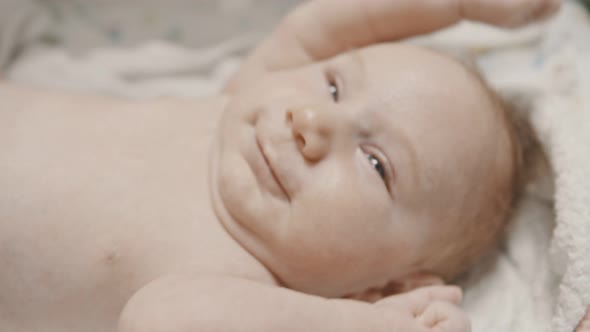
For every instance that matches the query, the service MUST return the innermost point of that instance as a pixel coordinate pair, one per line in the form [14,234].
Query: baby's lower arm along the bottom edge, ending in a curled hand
[229,304]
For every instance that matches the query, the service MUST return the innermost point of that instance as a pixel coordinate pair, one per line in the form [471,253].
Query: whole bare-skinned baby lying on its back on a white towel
[318,177]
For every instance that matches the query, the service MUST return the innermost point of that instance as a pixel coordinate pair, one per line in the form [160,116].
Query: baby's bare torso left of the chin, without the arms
[99,199]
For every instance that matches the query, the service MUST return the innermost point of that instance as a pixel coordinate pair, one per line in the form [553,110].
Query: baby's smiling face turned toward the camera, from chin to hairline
[353,172]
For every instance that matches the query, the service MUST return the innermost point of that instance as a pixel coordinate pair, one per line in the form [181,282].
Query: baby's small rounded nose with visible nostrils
[312,131]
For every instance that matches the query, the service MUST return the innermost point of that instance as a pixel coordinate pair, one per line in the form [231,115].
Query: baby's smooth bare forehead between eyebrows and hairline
[420,87]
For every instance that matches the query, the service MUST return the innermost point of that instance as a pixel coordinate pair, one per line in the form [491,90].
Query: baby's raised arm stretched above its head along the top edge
[320,29]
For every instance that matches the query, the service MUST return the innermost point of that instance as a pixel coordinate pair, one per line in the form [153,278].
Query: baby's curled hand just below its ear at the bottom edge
[431,309]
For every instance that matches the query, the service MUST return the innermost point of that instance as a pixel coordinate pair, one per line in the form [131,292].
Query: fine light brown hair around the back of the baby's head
[483,230]
